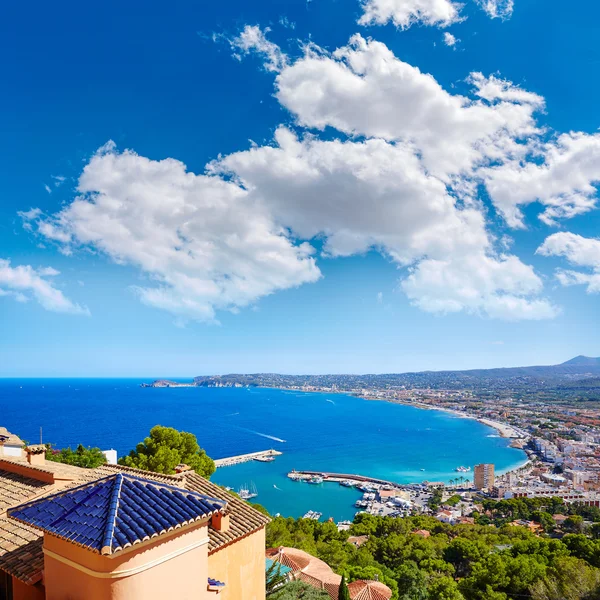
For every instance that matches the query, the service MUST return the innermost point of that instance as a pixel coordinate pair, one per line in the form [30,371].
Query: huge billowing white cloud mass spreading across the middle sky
[402,179]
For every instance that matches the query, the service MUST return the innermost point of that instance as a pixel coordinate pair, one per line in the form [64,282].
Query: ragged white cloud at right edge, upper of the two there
[564,182]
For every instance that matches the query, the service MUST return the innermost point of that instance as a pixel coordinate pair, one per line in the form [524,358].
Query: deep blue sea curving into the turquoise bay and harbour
[328,432]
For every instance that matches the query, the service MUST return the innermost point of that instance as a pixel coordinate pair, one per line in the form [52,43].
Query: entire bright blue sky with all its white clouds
[298,187]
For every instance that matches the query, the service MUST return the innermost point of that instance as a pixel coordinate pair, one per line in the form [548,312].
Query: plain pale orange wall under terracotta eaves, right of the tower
[242,567]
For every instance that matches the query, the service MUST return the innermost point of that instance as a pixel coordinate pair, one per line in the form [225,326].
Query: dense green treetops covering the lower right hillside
[456,562]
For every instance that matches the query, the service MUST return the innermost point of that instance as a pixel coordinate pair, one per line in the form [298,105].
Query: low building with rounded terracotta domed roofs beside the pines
[303,566]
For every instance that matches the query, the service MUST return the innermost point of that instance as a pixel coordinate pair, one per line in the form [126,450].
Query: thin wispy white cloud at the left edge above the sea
[23,282]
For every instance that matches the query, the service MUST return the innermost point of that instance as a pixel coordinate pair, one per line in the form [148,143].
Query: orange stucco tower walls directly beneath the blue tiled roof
[182,577]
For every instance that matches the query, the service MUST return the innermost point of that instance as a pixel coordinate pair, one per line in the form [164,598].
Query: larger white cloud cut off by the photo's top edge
[404,13]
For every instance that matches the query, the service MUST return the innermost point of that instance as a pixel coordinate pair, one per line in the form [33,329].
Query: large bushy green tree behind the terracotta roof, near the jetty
[165,448]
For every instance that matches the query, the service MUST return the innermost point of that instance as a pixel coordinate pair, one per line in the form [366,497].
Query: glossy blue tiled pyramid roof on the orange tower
[116,512]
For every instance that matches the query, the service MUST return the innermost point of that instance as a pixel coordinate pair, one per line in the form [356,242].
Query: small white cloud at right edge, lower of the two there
[579,251]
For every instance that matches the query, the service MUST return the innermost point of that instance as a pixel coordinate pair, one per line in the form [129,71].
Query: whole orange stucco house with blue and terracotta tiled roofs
[119,533]
